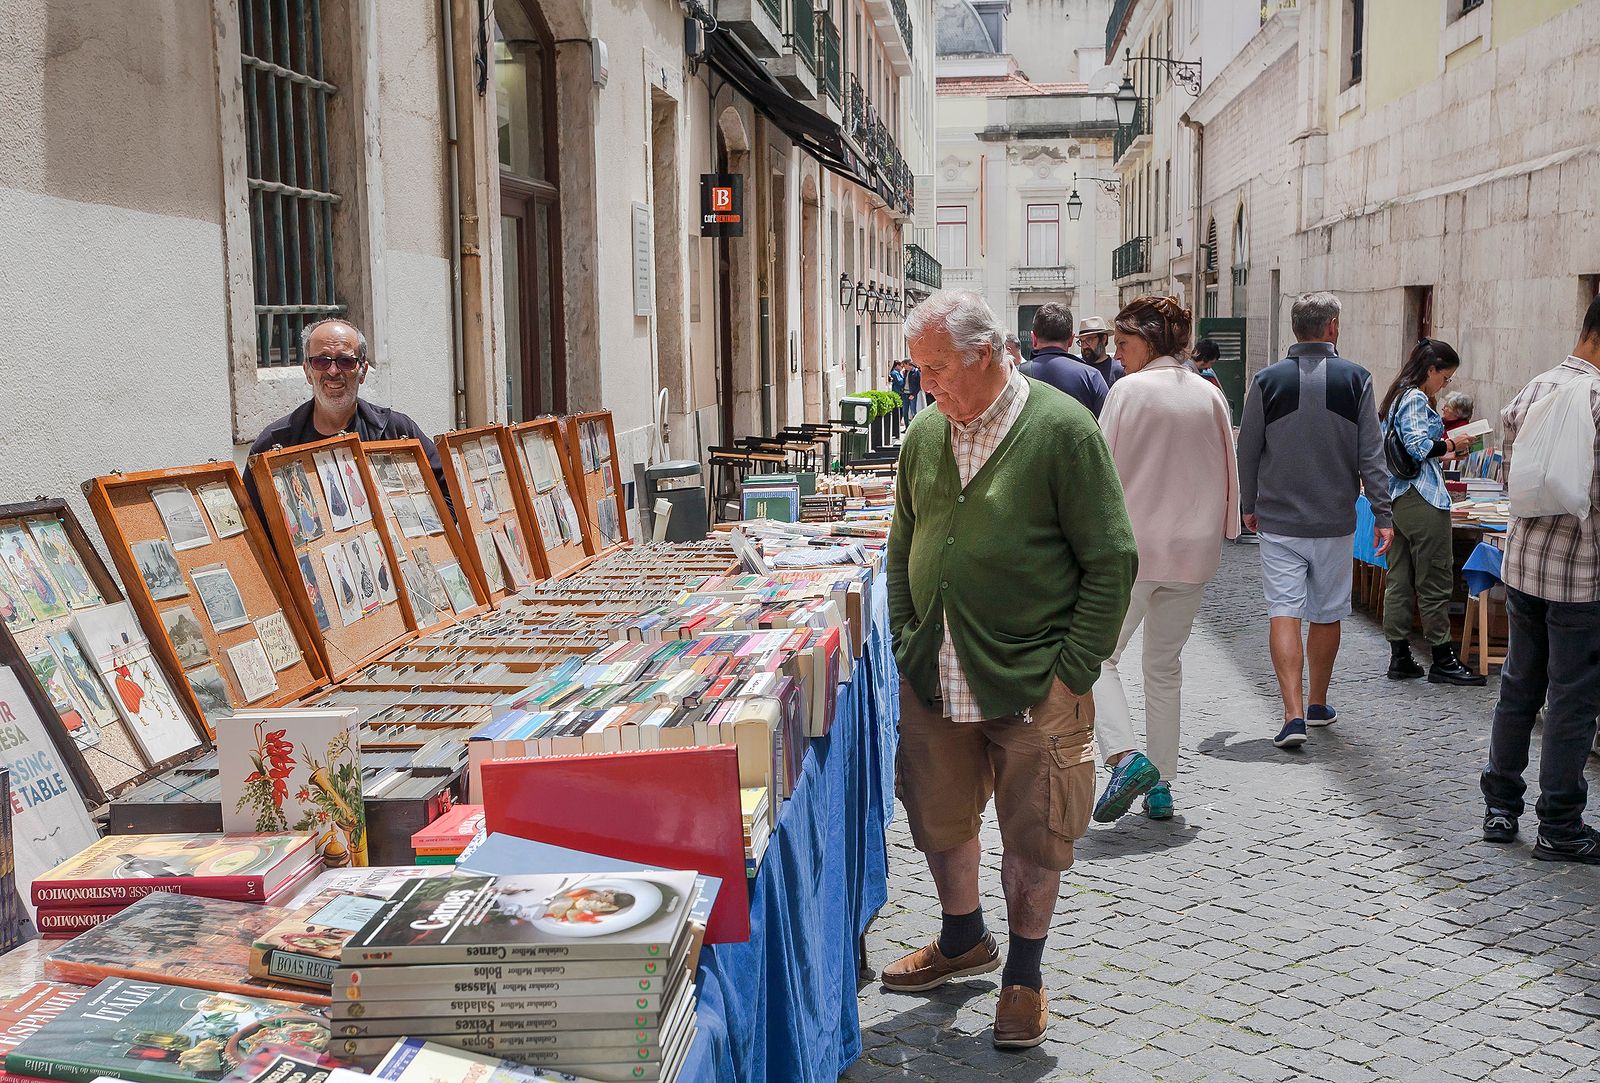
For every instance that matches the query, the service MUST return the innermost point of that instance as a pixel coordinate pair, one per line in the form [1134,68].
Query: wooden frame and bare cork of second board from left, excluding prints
[127,514]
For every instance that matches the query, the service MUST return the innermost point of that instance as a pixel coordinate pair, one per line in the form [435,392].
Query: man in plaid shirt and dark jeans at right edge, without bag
[1553,601]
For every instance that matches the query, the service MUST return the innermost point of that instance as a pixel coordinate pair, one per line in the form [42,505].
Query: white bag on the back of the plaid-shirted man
[1553,463]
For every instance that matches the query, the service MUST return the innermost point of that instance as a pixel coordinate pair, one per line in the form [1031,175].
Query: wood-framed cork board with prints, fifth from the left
[492,511]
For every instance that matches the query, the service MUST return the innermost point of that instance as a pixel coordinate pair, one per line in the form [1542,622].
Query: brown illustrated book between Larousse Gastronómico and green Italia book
[180,941]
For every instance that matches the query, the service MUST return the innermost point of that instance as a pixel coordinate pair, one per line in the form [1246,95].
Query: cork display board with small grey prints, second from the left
[239,585]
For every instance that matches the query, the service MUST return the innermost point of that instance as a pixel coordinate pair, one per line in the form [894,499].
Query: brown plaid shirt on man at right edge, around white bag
[1554,557]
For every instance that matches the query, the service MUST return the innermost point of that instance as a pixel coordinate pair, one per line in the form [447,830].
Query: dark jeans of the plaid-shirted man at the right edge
[1553,663]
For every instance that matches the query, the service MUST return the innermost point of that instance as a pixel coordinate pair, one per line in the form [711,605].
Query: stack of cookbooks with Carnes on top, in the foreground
[583,973]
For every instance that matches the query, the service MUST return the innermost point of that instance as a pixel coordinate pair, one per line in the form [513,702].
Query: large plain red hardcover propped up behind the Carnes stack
[676,809]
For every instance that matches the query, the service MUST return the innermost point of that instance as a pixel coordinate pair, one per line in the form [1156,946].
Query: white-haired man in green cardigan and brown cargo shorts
[1012,559]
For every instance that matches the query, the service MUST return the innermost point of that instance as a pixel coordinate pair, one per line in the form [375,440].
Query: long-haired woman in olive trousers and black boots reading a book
[1420,557]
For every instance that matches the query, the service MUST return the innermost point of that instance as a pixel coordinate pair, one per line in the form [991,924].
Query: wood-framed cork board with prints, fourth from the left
[422,524]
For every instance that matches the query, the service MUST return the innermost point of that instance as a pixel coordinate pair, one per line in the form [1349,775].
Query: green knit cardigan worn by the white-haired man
[1031,564]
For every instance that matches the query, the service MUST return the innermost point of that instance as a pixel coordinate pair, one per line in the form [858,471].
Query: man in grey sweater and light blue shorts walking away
[1308,446]
